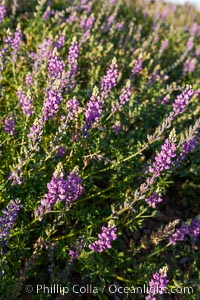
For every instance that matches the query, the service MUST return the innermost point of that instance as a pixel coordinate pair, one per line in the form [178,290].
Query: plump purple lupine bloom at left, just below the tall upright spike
[51,104]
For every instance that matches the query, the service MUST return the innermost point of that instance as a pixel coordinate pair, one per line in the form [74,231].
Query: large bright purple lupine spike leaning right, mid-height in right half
[163,159]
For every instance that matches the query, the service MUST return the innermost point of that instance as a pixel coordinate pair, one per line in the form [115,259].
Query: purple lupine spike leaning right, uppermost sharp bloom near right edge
[182,100]
